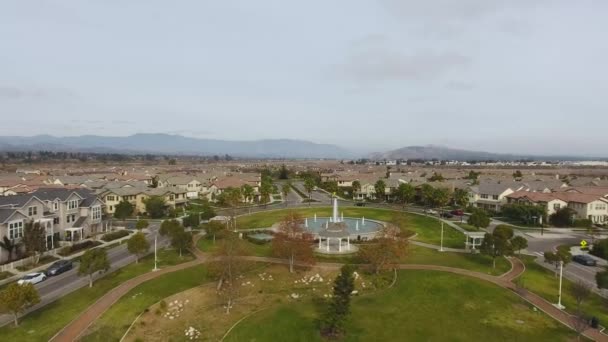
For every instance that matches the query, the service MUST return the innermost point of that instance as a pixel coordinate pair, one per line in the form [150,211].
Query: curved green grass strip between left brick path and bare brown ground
[112,325]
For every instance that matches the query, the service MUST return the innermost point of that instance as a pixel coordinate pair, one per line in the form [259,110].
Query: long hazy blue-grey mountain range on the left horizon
[175,144]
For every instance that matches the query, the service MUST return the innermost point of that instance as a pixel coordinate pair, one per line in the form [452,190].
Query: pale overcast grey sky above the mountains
[515,76]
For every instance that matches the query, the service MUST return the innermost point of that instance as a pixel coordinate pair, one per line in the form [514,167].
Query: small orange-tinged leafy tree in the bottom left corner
[15,299]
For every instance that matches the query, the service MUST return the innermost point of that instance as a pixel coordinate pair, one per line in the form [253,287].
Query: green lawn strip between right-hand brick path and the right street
[544,283]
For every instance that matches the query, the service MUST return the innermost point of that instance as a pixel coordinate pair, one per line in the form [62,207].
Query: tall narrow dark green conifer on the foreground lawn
[332,322]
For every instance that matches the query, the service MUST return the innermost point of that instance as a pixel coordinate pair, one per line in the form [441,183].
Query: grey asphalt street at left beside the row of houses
[56,287]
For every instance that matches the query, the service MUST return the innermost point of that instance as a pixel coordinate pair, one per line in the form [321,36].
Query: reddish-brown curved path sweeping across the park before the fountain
[74,329]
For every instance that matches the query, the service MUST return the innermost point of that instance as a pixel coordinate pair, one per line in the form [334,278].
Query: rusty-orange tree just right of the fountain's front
[386,250]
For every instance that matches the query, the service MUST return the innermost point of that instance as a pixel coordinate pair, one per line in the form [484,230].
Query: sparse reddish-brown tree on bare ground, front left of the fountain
[228,267]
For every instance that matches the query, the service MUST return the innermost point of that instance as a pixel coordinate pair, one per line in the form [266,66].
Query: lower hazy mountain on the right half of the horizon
[445,153]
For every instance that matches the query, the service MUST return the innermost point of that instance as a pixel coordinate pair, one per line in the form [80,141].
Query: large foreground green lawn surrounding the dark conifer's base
[423,306]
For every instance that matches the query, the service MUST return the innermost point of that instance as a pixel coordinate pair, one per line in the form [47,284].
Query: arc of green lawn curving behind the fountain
[427,229]
